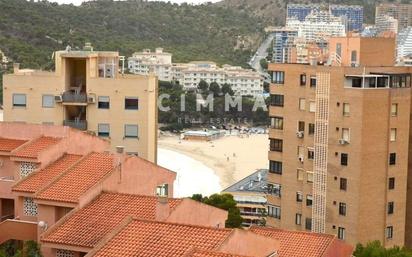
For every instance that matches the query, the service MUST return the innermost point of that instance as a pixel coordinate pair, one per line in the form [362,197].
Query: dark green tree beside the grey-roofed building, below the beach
[225,202]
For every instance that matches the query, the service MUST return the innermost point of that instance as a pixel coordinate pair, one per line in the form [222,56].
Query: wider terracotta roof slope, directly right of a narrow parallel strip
[78,179]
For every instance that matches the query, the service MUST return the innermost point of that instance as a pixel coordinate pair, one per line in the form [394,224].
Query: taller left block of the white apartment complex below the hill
[157,62]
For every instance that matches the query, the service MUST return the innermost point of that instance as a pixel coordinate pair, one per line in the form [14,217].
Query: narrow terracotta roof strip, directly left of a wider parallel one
[38,180]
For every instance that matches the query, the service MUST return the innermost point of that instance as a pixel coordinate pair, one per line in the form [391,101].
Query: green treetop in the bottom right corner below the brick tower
[375,249]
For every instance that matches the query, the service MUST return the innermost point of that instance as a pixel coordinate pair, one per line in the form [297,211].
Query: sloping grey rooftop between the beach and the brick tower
[255,182]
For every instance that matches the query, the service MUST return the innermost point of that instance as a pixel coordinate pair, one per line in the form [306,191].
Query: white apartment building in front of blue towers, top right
[318,26]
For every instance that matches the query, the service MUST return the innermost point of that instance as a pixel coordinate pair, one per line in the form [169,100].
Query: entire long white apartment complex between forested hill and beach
[242,81]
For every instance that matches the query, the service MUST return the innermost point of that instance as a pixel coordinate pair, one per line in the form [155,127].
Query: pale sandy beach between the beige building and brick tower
[231,157]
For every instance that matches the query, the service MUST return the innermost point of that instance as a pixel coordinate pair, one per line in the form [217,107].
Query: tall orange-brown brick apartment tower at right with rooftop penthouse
[339,143]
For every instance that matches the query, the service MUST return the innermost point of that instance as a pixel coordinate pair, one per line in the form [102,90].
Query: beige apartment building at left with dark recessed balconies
[88,92]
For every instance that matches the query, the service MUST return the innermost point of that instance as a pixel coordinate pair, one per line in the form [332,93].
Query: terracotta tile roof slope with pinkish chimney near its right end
[90,224]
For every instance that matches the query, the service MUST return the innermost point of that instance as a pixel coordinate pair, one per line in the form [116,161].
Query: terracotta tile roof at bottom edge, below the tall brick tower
[297,243]
